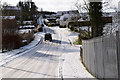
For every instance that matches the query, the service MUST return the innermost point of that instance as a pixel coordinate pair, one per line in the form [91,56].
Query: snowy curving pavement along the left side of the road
[10,55]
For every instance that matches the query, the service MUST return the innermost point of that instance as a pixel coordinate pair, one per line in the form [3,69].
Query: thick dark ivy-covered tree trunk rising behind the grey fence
[95,12]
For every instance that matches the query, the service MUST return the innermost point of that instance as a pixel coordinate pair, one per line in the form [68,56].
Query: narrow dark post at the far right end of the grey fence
[118,53]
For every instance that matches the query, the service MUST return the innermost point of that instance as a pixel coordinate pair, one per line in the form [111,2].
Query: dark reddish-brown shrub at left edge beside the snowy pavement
[11,41]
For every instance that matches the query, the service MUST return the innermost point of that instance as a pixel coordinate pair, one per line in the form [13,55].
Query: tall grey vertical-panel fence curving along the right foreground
[101,55]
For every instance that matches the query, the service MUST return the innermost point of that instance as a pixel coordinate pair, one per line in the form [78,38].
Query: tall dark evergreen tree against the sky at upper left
[28,10]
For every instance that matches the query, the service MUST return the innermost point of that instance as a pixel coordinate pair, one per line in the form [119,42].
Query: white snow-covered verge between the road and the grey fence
[72,66]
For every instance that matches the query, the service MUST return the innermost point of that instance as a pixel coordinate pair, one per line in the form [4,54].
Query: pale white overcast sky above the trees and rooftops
[54,5]
